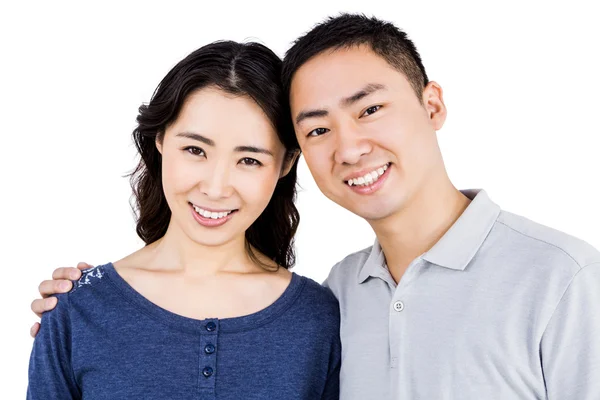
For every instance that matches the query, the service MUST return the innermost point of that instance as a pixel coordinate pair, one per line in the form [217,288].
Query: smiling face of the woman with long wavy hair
[221,160]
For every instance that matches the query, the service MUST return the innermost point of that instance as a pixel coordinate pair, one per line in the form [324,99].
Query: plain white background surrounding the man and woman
[521,84]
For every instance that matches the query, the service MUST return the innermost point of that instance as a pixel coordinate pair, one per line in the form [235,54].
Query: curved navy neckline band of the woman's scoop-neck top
[230,324]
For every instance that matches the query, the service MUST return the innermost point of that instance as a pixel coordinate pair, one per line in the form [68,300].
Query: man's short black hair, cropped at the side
[348,30]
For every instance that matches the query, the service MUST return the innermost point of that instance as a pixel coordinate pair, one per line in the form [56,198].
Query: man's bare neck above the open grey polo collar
[415,229]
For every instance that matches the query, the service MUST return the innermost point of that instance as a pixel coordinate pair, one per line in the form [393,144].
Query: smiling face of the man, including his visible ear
[368,140]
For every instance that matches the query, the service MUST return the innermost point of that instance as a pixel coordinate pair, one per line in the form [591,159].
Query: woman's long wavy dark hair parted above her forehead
[243,69]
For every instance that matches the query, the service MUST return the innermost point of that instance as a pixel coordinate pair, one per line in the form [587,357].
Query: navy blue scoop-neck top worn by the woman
[104,340]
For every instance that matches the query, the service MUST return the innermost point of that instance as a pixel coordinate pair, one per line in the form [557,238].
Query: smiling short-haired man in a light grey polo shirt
[456,298]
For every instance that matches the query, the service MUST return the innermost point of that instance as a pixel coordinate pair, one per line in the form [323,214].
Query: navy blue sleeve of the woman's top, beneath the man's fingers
[50,370]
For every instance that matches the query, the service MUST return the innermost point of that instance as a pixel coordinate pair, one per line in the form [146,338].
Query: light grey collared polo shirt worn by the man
[499,308]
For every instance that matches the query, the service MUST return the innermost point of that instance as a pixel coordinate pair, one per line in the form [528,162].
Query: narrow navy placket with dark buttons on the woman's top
[208,357]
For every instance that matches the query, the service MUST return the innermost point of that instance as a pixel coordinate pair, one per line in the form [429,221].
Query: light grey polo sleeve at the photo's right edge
[570,346]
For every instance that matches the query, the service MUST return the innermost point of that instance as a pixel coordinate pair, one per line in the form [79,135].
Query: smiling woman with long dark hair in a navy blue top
[207,309]
